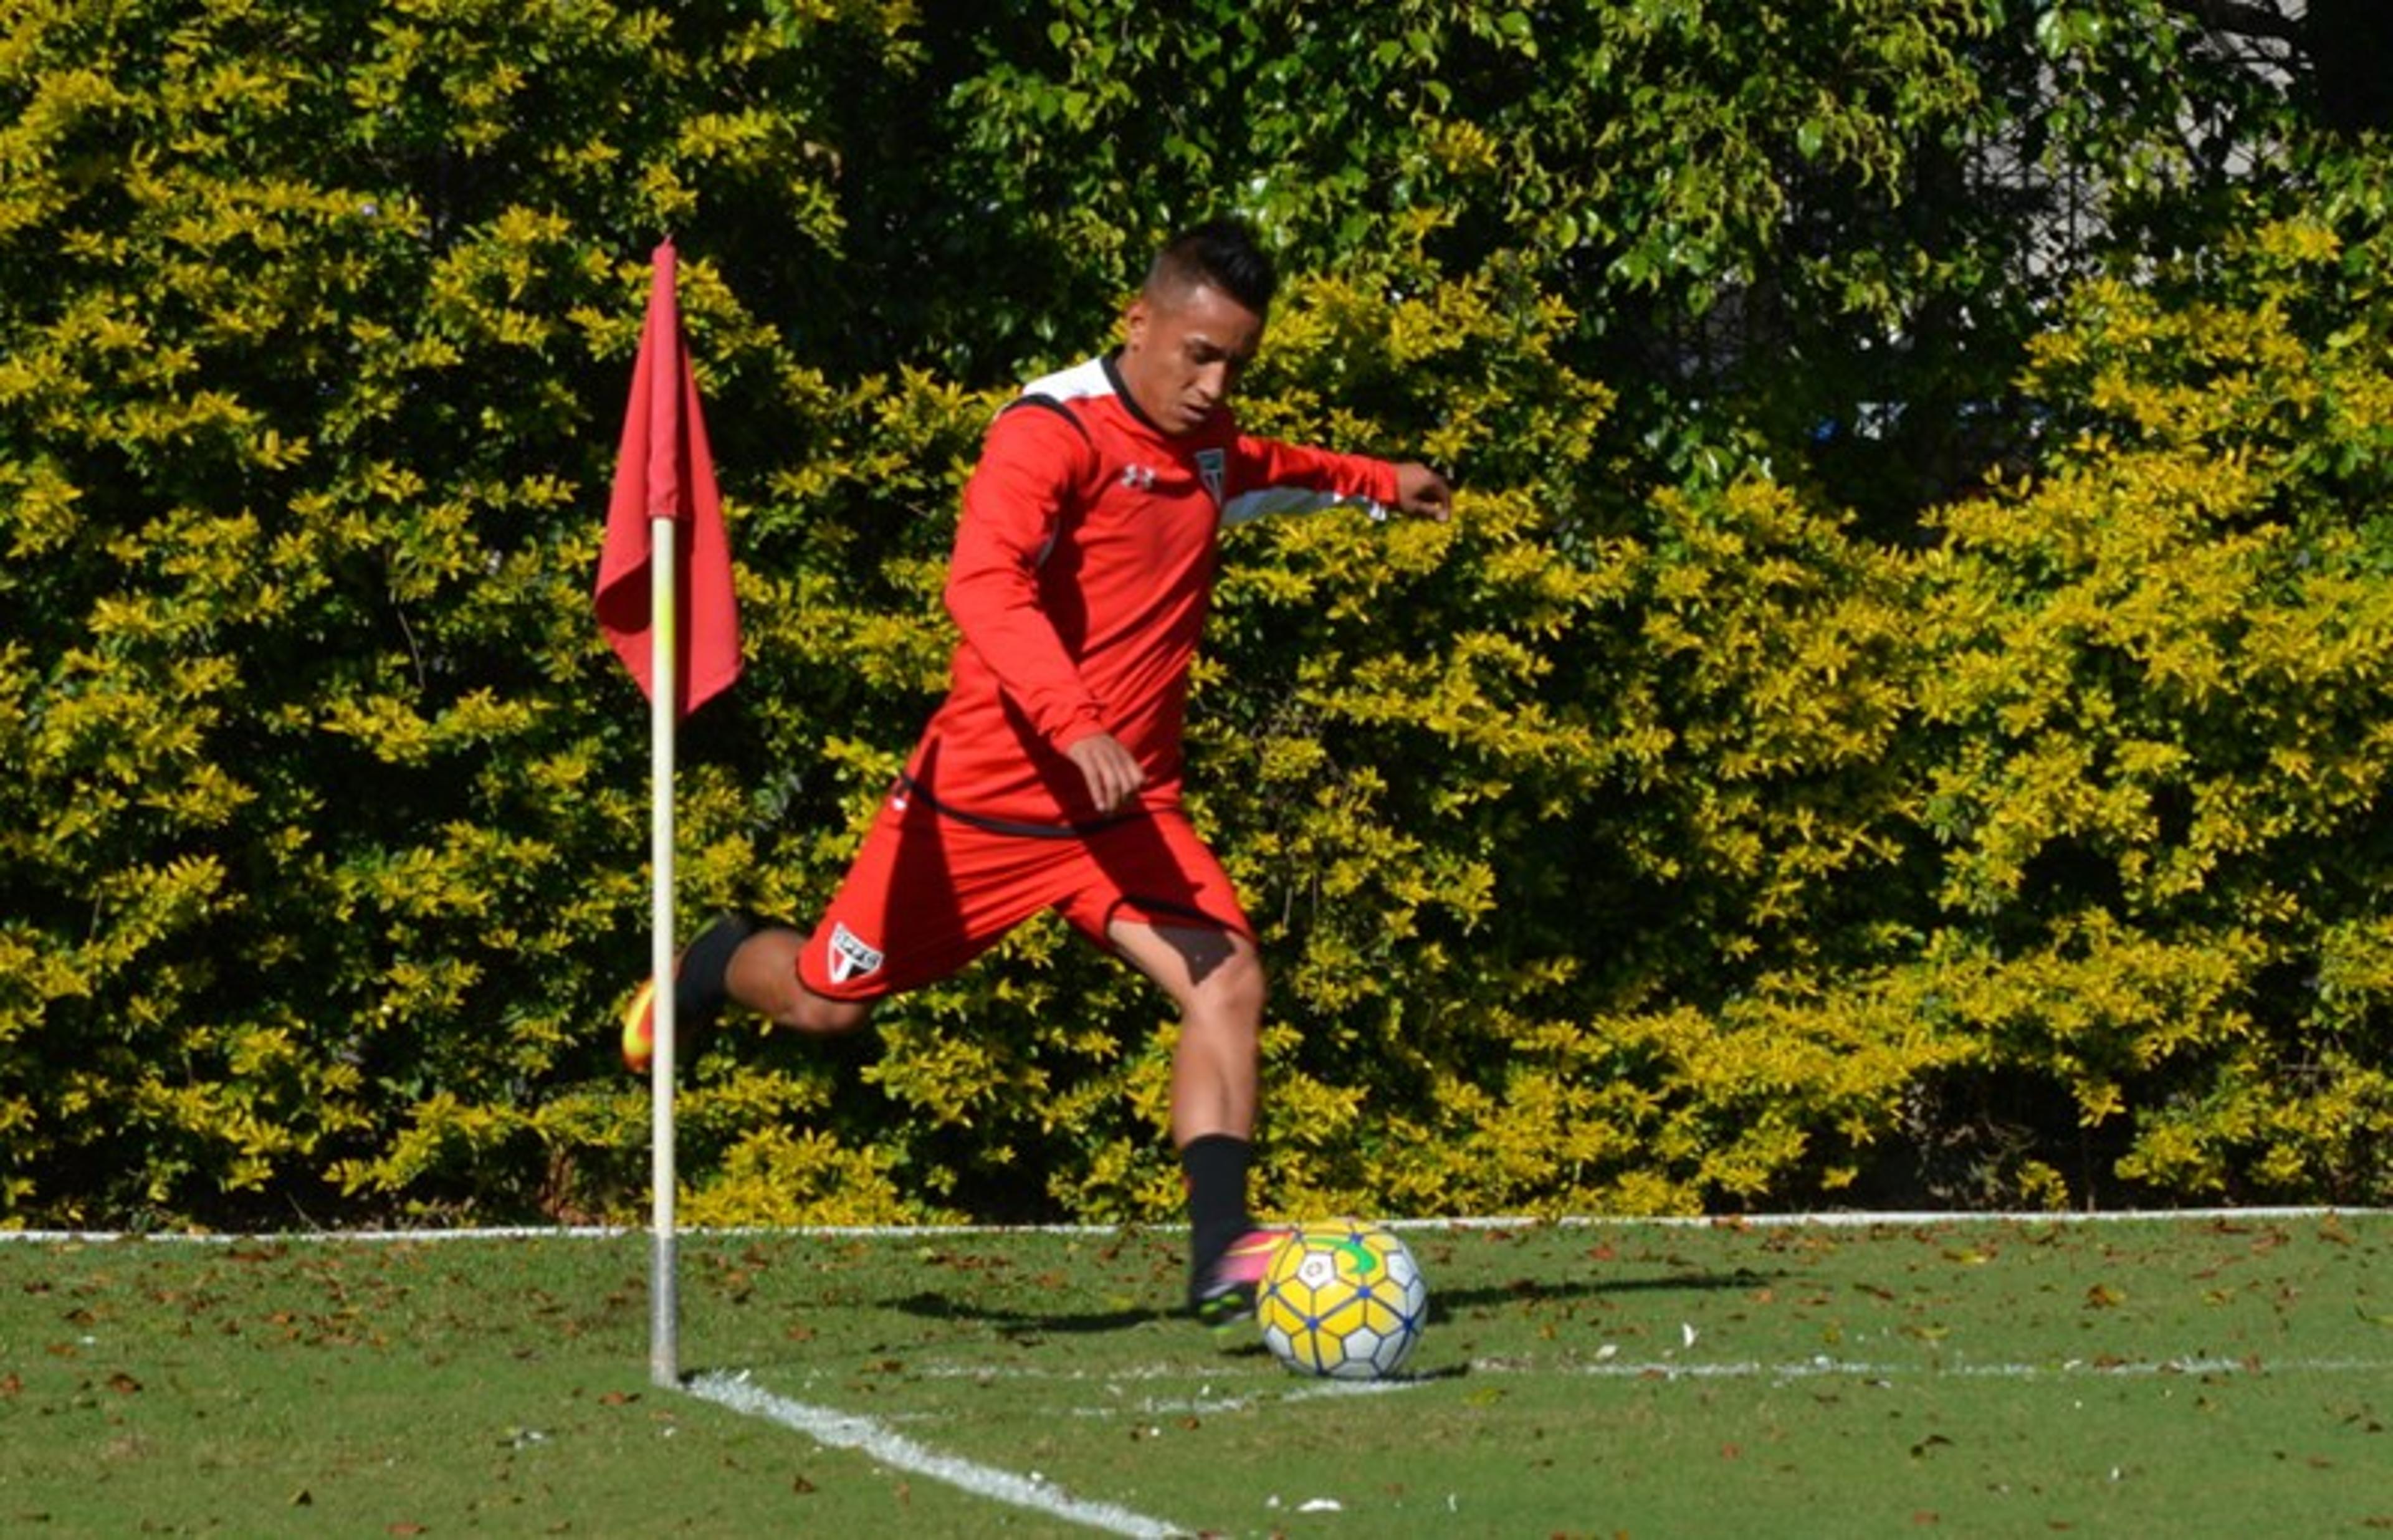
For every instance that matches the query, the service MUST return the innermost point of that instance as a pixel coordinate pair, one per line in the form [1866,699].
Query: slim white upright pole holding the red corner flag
[664,707]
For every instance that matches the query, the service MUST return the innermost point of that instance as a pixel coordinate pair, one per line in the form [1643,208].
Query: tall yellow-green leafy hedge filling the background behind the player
[1652,836]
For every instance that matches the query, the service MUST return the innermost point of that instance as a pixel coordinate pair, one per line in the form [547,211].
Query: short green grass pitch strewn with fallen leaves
[2210,1376]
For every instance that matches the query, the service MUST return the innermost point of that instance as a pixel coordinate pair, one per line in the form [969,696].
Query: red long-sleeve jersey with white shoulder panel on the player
[1080,580]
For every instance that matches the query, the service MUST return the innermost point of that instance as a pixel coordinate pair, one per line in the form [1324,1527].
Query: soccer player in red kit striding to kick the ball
[1049,778]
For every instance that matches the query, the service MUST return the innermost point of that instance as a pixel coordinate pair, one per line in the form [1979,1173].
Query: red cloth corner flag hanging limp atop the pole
[666,472]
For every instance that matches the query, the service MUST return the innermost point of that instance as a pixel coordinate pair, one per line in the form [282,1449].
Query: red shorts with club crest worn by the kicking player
[932,891]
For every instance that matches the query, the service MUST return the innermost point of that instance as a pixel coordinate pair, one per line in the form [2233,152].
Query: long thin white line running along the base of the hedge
[619,1233]
